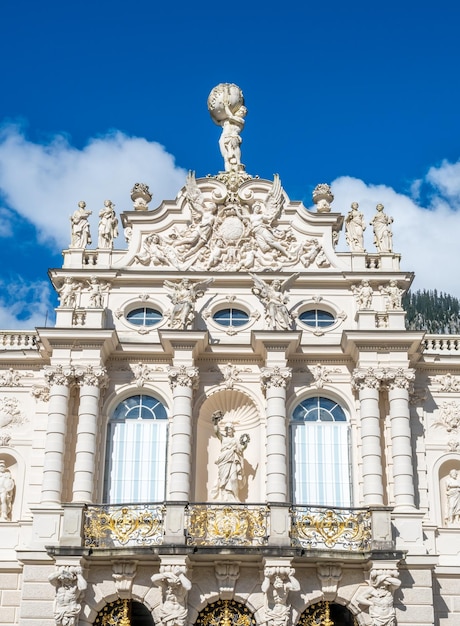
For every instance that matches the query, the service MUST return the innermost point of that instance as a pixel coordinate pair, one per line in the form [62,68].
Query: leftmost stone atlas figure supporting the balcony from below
[70,585]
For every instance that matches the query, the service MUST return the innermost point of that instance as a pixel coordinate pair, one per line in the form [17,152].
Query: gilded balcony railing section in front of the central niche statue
[227,524]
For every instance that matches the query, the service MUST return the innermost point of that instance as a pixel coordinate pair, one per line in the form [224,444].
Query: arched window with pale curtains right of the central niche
[320,453]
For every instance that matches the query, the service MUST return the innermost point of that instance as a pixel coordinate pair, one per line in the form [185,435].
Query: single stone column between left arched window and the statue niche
[183,380]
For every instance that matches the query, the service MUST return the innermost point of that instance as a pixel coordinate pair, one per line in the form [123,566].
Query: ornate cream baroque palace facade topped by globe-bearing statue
[229,423]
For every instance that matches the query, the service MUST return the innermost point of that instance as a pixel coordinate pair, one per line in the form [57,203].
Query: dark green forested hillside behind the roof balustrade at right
[437,313]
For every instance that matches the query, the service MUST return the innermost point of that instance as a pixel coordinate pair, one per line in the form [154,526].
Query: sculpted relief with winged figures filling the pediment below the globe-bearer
[231,229]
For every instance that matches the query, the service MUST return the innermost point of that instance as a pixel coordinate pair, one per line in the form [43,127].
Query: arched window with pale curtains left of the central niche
[135,468]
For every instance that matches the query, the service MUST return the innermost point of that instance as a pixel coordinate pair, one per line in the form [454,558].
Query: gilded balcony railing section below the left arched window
[123,525]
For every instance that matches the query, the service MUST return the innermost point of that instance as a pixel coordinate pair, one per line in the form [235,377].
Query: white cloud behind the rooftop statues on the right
[426,237]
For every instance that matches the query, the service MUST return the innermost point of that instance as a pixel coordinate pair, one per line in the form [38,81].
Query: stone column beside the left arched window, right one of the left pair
[90,380]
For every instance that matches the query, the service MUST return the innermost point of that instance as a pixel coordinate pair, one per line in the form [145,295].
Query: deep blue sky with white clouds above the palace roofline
[99,95]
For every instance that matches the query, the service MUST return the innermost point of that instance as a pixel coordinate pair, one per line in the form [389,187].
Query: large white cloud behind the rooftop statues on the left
[44,183]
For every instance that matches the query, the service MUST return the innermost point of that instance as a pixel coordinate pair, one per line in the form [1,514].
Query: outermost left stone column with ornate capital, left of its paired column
[59,379]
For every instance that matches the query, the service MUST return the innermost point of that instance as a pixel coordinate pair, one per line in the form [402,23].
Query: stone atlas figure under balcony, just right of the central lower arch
[277,583]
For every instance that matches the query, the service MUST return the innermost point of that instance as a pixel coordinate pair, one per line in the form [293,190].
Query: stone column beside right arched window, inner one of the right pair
[368,382]
